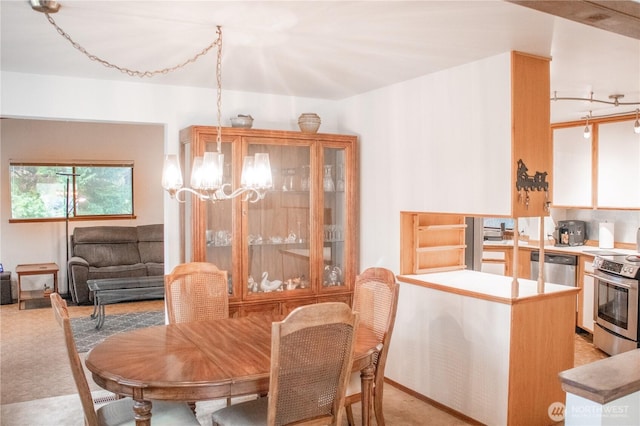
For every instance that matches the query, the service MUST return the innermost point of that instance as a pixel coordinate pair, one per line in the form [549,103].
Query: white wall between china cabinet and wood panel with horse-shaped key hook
[441,142]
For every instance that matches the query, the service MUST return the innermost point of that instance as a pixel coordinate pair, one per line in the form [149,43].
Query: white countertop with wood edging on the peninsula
[484,285]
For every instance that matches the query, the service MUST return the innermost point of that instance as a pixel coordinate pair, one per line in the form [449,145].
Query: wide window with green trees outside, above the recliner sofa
[39,191]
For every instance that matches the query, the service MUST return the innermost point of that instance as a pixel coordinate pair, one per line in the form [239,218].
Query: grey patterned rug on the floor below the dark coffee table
[86,335]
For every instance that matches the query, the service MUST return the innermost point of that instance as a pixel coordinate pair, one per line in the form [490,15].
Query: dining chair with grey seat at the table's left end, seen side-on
[120,411]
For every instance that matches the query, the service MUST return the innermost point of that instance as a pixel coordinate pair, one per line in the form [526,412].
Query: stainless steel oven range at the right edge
[616,302]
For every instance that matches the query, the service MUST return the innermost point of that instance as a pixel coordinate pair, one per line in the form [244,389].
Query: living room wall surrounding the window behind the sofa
[63,141]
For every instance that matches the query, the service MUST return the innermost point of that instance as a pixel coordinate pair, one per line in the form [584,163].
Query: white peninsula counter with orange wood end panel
[461,340]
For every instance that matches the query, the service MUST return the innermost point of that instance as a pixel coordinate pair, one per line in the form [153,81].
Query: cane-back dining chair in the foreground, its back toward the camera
[311,358]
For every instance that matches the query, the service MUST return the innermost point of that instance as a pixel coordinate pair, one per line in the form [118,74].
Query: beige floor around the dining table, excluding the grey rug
[36,386]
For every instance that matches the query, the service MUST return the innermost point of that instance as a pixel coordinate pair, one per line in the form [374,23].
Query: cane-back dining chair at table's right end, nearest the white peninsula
[375,297]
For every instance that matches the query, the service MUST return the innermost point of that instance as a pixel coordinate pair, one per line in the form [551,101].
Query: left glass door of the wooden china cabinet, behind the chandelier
[219,220]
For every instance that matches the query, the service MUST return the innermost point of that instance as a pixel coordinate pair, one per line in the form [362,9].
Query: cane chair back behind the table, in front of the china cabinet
[196,291]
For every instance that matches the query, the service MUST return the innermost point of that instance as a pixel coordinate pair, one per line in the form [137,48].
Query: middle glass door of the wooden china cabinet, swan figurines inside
[277,228]
